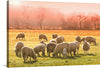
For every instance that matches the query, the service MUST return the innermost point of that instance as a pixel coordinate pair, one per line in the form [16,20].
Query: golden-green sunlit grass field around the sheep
[31,40]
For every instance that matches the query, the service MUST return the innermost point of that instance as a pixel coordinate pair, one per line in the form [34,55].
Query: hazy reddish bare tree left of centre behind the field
[41,17]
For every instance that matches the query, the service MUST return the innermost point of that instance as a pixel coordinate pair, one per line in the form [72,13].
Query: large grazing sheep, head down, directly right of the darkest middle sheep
[59,49]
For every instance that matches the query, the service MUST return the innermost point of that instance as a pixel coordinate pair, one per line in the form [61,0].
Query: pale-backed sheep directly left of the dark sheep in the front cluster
[40,48]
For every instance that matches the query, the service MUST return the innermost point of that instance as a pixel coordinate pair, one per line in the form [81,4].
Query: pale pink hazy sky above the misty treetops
[63,6]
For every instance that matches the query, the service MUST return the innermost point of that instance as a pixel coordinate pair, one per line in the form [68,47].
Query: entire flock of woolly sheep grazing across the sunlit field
[56,47]
